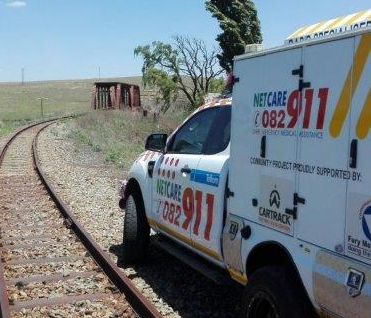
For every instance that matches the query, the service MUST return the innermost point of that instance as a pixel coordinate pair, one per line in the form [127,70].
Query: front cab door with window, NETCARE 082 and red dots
[173,192]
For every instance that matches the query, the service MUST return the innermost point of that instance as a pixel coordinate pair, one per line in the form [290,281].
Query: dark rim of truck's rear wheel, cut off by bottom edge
[262,306]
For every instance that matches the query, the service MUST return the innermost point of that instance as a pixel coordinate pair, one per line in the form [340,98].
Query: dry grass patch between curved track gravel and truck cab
[119,135]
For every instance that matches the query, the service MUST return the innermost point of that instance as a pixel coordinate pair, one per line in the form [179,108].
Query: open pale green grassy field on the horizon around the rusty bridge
[19,104]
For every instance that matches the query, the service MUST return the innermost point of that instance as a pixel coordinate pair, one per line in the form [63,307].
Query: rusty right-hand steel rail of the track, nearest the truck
[142,306]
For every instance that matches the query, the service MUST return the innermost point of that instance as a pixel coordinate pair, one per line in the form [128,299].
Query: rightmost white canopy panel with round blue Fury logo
[358,215]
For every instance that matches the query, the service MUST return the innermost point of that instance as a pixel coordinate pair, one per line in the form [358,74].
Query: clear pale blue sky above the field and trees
[71,39]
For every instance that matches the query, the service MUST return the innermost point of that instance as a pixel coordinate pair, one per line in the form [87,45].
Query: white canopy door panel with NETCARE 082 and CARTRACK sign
[264,139]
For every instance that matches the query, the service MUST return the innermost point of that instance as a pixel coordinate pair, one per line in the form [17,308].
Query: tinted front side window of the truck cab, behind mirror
[191,137]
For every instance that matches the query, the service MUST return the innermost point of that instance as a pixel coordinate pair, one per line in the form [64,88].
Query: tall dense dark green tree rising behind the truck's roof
[239,22]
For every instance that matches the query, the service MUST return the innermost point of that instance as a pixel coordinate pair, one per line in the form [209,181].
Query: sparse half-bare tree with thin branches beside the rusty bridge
[185,66]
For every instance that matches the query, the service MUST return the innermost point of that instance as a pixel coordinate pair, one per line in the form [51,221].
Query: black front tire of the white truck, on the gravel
[136,231]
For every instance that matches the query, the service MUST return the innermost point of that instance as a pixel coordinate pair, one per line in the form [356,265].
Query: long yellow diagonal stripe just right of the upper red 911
[350,85]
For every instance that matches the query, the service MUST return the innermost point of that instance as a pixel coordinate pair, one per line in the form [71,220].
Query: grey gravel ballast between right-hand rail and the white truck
[89,187]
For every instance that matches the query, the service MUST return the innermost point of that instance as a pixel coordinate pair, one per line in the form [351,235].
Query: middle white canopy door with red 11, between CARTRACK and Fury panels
[324,134]
